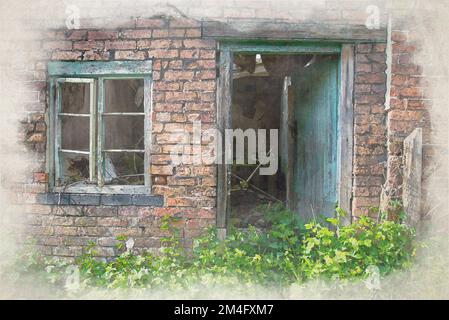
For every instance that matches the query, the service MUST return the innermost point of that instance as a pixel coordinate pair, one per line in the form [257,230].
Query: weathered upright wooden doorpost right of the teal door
[345,129]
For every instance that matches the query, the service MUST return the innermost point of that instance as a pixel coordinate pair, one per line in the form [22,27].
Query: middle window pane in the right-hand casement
[124,132]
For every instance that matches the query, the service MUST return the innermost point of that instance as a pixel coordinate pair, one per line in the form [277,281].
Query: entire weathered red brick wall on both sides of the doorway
[184,89]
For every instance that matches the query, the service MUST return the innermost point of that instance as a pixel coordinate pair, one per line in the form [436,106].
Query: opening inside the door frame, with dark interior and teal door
[298,96]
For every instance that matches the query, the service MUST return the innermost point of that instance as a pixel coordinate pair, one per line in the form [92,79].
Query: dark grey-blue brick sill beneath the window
[92,199]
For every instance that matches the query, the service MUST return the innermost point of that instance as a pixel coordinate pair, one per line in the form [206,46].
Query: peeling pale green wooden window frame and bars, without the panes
[94,74]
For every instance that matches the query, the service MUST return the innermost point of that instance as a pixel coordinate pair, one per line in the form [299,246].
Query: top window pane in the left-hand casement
[75,97]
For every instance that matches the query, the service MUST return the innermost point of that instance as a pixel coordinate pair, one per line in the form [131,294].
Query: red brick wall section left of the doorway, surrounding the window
[184,67]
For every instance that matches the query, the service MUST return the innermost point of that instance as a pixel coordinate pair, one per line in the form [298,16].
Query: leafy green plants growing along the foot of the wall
[288,251]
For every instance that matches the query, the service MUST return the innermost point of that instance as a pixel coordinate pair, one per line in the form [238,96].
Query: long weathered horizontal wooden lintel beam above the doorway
[266,30]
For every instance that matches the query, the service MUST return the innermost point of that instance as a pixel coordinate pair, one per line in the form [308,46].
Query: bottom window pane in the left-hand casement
[74,167]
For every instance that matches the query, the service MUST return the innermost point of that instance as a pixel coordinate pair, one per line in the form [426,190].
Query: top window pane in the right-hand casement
[124,95]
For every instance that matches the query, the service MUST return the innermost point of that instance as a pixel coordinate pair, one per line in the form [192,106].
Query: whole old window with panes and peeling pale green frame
[99,129]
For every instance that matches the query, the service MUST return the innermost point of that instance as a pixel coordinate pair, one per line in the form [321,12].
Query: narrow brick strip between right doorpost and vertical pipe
[369,126]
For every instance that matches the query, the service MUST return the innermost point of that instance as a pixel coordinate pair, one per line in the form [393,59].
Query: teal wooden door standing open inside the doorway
[315,168]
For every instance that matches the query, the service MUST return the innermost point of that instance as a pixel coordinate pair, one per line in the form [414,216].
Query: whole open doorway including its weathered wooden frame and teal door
[302,93]
